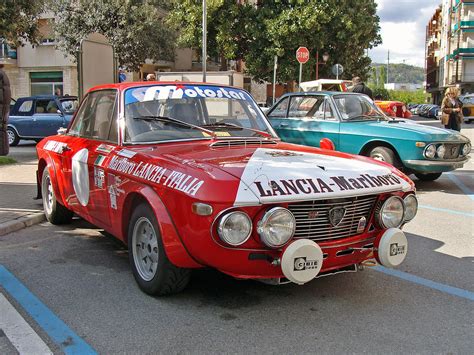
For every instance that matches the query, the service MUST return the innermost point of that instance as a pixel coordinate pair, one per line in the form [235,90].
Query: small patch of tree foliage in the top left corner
[19,20]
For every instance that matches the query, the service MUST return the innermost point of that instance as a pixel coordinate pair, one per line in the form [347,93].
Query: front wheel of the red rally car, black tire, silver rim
[143,248]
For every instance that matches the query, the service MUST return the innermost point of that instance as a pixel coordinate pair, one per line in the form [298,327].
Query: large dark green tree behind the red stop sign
[344,29]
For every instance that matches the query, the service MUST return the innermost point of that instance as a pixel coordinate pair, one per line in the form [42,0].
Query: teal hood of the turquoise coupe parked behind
[407,129]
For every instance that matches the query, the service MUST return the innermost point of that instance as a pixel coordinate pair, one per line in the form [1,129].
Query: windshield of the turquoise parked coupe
[357,107]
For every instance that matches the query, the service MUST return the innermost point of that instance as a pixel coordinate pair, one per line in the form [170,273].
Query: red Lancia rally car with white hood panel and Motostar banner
[193,175]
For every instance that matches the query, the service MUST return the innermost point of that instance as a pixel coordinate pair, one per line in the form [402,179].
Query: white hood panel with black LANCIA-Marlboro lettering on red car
[273,176]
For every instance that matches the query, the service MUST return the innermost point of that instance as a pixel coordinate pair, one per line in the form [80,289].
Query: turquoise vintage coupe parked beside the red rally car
[355,125]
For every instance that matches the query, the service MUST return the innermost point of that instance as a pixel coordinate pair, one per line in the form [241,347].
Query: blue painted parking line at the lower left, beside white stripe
[68,341]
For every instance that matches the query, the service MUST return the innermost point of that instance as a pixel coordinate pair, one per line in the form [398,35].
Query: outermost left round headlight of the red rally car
[235,228]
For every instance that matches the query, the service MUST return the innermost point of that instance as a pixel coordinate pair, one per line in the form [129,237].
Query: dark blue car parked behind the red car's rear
[36,117]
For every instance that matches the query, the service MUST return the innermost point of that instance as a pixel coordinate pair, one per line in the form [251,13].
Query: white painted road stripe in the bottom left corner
[19,332]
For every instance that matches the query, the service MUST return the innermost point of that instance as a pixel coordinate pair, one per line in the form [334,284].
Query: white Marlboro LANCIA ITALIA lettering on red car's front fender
[157,174]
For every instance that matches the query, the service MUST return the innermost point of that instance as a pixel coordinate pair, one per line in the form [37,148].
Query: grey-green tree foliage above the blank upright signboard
[135,28]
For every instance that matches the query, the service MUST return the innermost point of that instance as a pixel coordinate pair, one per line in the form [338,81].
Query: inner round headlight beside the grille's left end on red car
[276,227]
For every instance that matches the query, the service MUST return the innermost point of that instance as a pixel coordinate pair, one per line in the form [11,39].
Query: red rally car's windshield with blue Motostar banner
[174,112]
